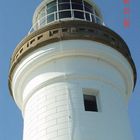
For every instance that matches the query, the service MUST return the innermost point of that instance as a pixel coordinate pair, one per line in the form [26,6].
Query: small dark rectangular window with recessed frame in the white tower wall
[90,100]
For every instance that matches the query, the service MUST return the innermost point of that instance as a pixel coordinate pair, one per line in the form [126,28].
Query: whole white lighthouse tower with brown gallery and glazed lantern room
[71,76]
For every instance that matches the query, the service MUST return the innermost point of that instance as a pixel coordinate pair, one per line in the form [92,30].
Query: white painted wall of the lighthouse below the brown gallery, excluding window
[47,87]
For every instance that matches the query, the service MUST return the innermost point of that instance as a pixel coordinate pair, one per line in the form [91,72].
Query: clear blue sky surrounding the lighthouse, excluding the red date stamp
[15,22]
